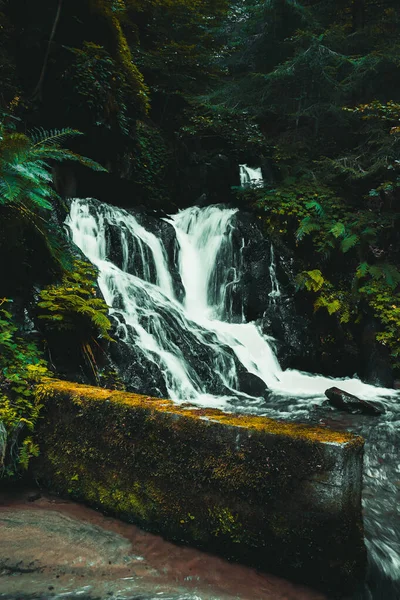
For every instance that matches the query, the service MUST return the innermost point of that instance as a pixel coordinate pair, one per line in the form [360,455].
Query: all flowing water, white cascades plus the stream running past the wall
[176,308]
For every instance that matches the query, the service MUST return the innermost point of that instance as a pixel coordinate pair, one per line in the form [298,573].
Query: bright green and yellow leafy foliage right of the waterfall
[309,213]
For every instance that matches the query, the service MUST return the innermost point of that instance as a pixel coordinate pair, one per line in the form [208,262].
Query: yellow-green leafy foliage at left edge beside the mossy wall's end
[21,368]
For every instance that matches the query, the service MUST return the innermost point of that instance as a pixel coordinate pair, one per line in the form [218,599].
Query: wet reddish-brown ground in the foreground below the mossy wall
[50,548]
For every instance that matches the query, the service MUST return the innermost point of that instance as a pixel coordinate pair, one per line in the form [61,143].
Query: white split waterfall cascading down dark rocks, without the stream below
[199,354]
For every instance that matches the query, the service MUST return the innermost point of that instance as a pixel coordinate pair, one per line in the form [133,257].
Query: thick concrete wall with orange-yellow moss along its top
[285,498]
